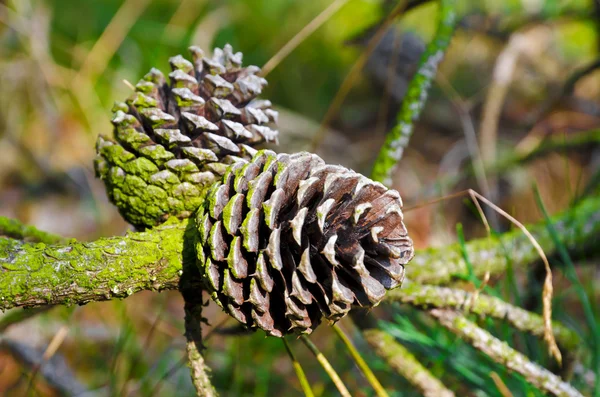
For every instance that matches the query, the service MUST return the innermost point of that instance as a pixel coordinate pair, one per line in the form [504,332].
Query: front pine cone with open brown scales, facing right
[285,240]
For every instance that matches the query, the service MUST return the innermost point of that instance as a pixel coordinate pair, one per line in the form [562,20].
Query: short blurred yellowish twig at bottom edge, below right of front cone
[405,364]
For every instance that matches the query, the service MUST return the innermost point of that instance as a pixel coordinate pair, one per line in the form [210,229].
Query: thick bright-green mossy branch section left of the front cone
[77,273]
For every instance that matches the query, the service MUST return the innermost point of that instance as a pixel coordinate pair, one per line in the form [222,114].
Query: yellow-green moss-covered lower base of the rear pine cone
[149,188]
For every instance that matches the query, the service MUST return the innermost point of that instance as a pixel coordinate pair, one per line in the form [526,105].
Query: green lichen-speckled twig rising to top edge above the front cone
[416,96]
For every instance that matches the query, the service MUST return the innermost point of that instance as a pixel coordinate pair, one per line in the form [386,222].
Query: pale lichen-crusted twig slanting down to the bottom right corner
[502,353]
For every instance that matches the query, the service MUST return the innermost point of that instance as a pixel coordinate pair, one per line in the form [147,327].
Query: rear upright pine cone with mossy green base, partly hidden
[172,141]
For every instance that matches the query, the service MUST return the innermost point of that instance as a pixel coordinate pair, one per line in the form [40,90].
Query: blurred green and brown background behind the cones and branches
[64,62]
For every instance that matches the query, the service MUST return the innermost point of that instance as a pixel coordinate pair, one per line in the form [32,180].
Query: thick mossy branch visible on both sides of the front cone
[37,274]
